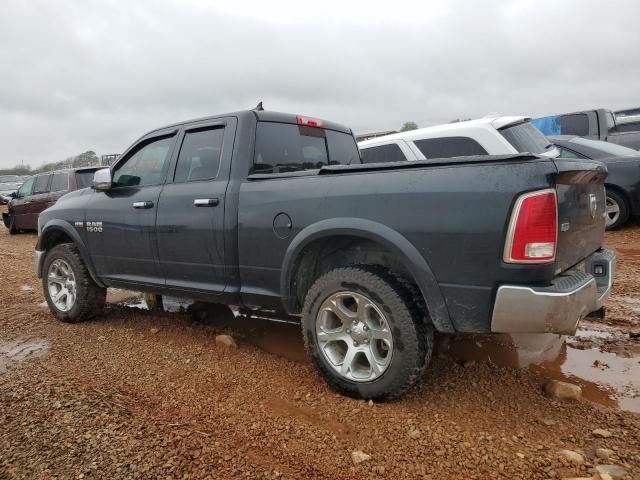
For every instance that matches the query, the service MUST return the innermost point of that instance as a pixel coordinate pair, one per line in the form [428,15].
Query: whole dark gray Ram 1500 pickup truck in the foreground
[276,212]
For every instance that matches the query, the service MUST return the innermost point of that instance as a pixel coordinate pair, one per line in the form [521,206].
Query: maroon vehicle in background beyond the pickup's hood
[41,191]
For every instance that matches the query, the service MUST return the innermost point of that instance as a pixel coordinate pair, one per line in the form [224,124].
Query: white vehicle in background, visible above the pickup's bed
[485,136]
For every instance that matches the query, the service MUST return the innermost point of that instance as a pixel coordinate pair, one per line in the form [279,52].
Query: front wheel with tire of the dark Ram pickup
[71,293]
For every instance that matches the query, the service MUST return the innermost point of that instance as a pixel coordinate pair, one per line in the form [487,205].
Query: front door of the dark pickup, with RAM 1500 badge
[120,222]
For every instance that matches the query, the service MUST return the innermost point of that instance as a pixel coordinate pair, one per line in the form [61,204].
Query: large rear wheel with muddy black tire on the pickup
[365,334]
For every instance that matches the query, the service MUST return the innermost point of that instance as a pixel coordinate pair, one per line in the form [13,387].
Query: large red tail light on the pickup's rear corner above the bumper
[533,230]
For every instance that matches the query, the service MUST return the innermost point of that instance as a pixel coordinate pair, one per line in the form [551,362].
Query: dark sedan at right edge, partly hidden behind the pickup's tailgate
[623,181]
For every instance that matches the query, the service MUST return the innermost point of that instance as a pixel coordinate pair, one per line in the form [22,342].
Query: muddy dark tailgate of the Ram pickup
[581,206]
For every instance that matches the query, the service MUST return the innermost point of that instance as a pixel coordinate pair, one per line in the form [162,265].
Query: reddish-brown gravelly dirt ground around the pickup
[142,394]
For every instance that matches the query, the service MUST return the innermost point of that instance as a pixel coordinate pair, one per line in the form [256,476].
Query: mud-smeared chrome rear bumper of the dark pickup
[559,307]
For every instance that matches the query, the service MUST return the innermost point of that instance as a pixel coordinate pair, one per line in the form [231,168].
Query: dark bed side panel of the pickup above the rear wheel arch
[455,216]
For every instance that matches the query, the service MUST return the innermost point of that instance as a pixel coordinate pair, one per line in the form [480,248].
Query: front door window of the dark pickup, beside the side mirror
[145,166]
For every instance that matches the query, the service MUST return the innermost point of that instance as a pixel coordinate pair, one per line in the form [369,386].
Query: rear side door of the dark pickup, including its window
[191,209]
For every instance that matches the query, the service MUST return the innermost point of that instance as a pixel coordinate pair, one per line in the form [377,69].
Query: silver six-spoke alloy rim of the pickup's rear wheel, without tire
[354,336]
